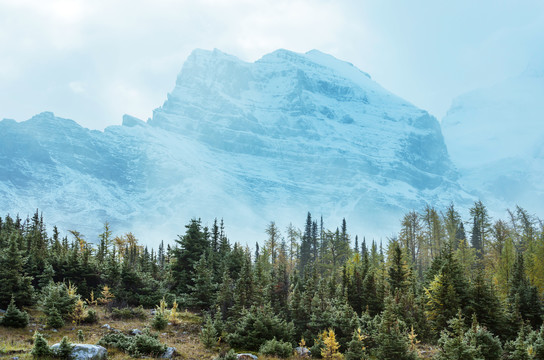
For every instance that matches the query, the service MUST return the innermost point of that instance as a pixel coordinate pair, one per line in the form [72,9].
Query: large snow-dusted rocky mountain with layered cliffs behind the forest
[247,142]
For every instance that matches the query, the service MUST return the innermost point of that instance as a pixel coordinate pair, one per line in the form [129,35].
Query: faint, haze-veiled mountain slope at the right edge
[496,138]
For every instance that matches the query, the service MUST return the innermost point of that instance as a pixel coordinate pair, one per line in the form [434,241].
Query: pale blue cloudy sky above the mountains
[93,61]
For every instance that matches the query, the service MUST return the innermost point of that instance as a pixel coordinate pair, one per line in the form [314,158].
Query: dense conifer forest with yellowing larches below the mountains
[442,288]
